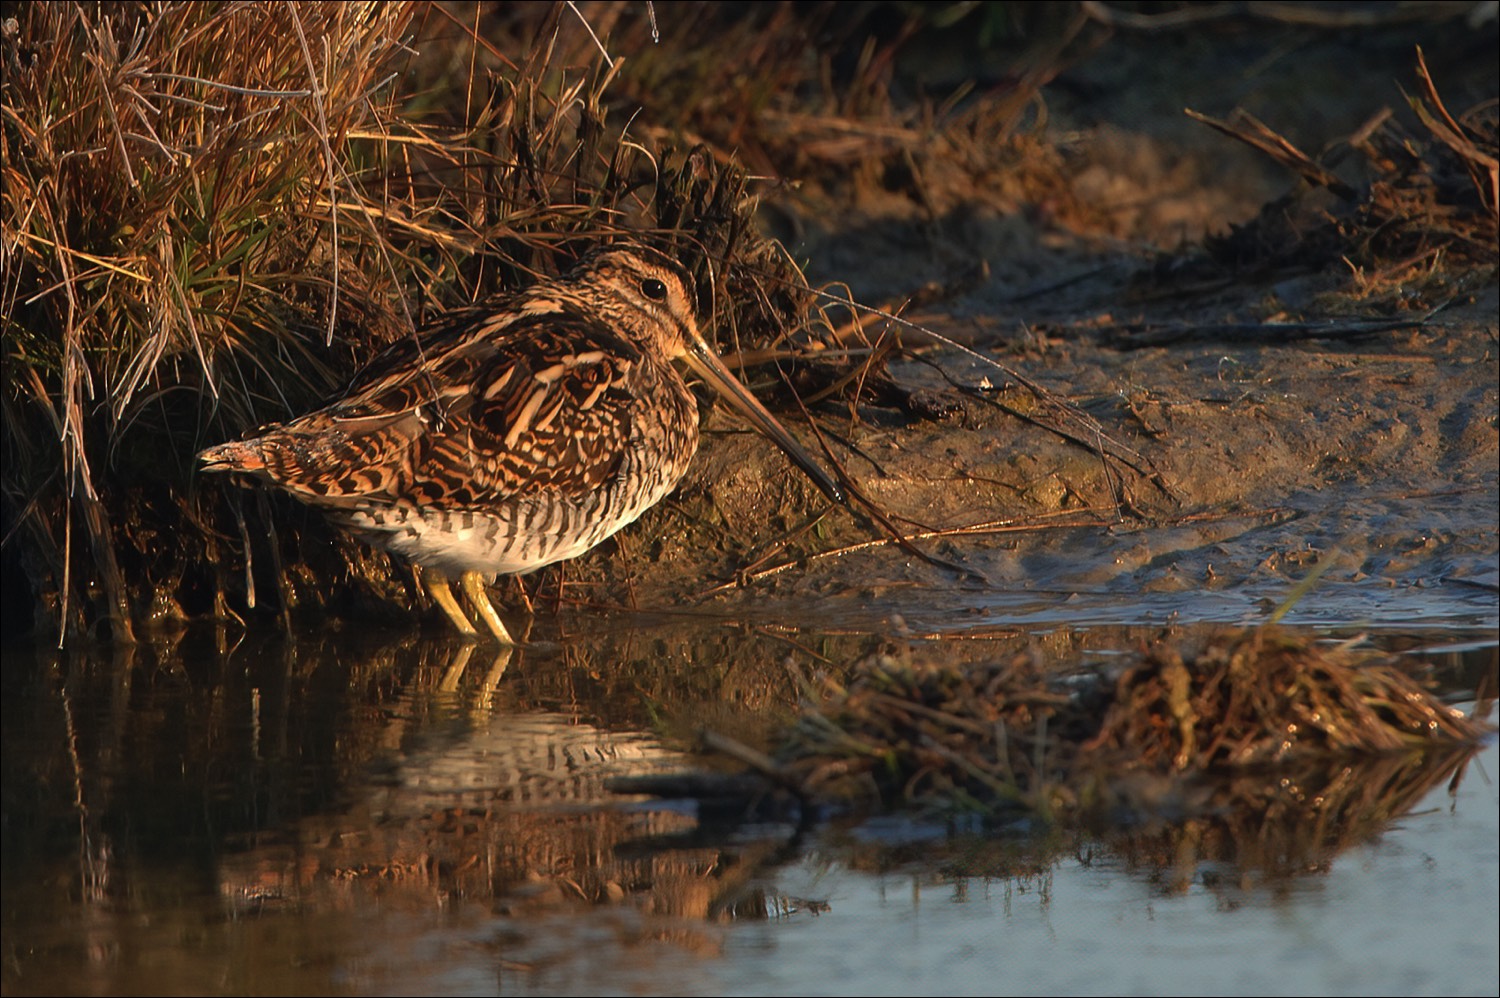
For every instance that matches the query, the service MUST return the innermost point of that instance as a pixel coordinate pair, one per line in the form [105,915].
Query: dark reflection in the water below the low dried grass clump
[1228,834]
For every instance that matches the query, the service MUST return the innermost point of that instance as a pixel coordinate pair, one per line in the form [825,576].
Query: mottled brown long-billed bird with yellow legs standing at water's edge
[514,433]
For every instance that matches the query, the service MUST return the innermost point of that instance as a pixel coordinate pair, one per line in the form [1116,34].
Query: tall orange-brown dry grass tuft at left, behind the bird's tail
[179,184]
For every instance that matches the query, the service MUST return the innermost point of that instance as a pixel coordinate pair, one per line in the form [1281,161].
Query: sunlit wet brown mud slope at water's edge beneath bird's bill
[1373,461]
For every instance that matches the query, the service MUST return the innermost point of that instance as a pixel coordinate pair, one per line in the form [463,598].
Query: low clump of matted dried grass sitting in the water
[1009,738]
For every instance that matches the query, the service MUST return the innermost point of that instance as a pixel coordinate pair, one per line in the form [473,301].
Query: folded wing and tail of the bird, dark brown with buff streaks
[484,407]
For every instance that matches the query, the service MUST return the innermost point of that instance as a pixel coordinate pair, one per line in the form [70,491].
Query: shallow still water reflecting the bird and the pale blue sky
[382,814]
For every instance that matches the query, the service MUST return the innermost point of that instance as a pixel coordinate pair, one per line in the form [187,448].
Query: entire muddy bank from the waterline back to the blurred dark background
[1282,404]
